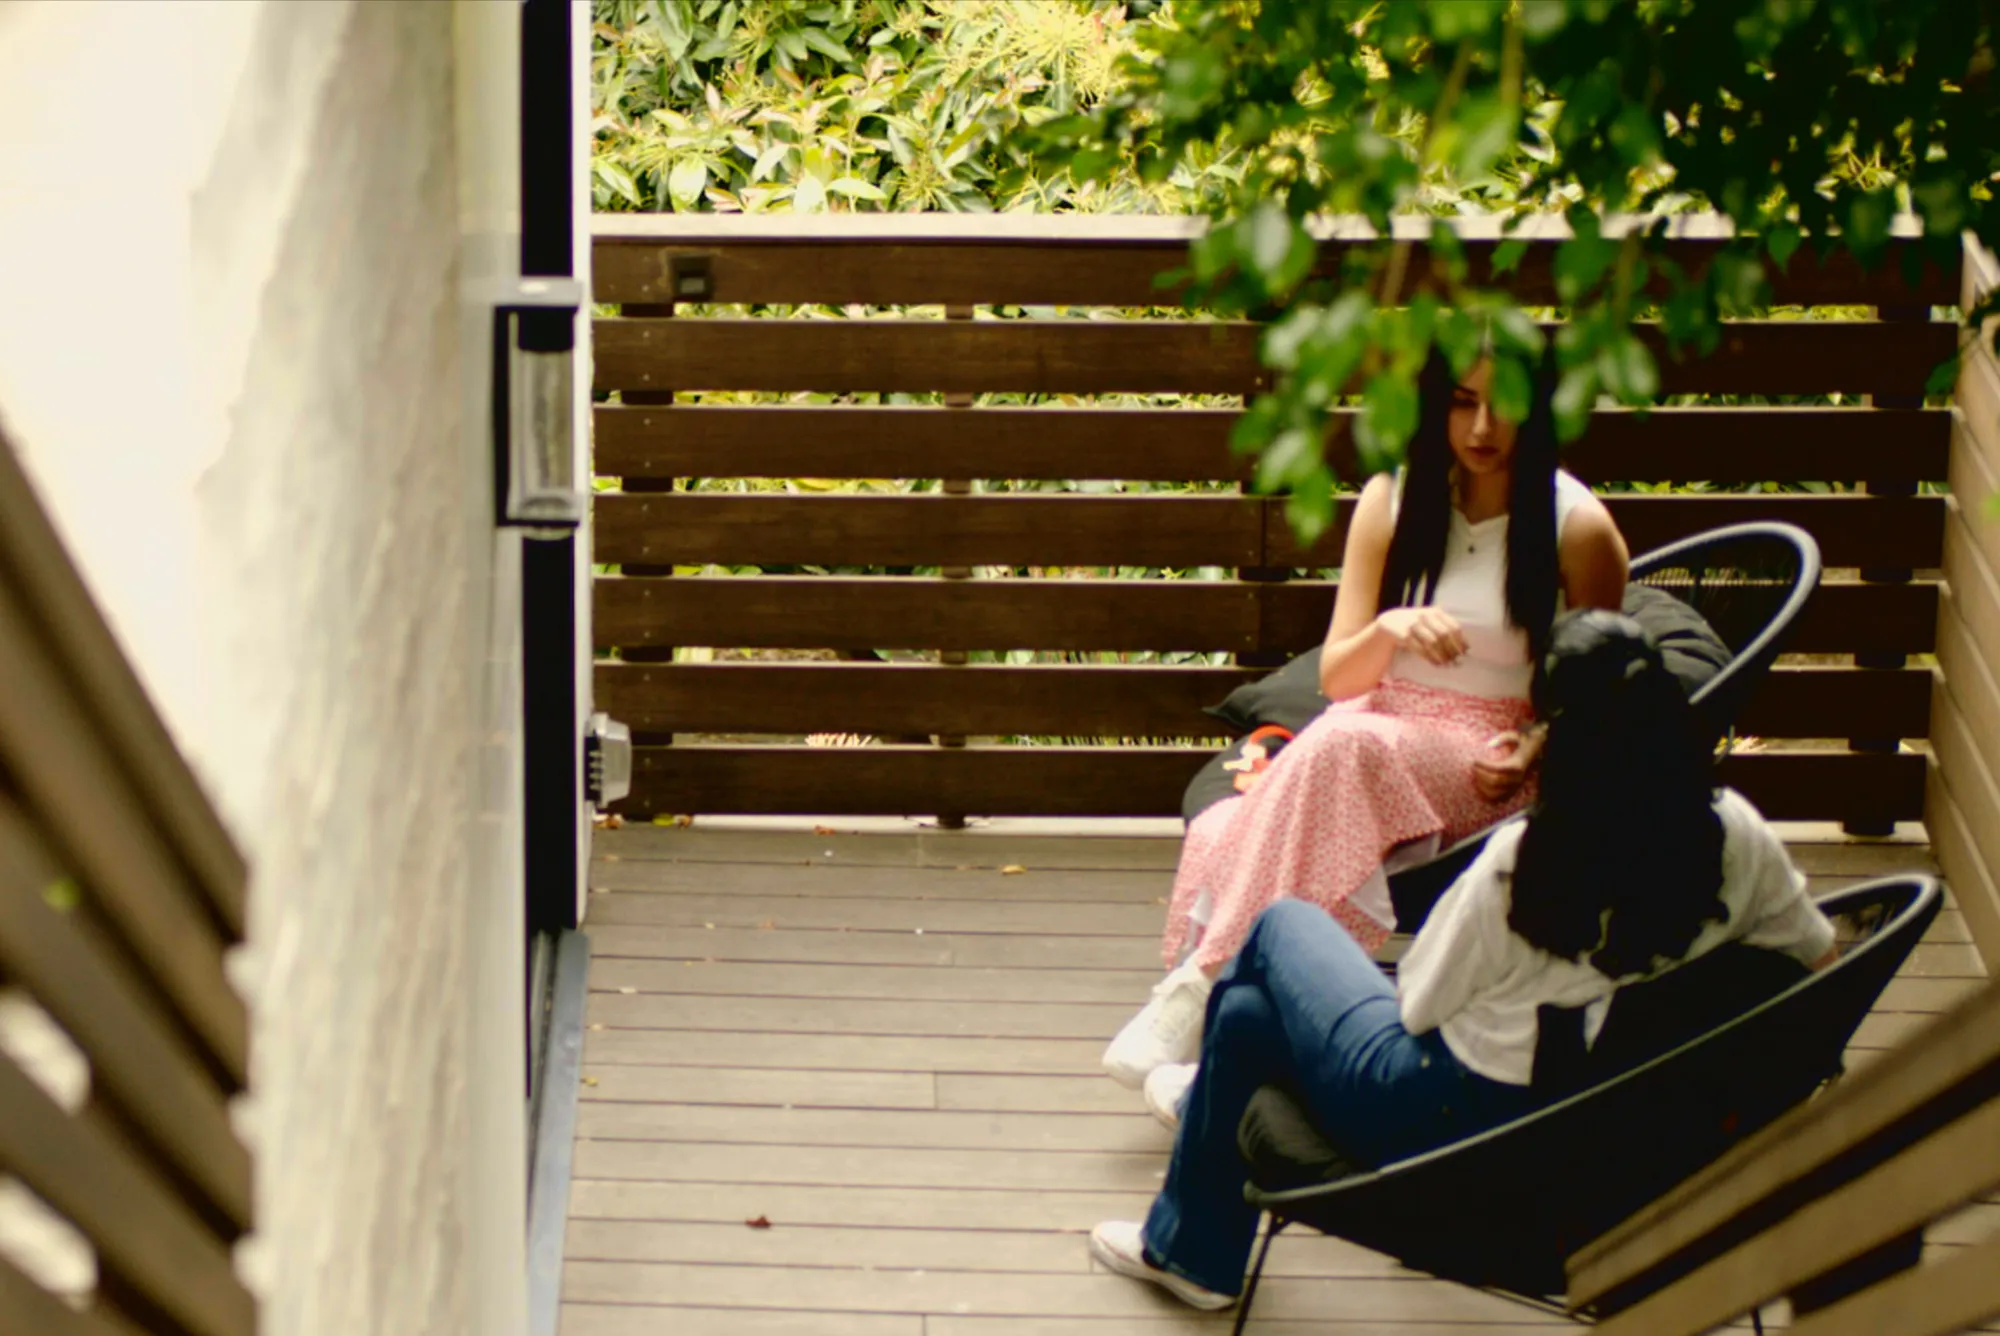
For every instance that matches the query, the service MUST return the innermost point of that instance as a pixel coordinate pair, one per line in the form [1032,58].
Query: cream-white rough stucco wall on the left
[235,353]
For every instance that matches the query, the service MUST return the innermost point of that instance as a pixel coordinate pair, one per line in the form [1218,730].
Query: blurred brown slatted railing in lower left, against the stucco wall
[119,895]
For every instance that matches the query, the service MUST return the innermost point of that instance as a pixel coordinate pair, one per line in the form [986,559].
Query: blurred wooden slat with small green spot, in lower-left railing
[137,1059]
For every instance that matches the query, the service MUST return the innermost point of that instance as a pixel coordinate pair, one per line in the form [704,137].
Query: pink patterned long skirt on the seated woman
[1365,779]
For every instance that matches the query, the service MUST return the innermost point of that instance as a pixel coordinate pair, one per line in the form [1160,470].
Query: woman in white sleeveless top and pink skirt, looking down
[1449,583]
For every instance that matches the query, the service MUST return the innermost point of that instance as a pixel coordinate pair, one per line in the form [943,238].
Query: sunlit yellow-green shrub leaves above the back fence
[863,105]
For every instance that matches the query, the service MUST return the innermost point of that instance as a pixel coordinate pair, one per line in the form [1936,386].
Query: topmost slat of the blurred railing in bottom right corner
[1879,1101]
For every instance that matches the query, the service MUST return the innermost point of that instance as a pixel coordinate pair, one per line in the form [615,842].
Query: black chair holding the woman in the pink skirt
[1749,583]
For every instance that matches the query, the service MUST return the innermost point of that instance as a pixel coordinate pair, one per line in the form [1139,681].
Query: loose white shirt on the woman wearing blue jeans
[1477,981]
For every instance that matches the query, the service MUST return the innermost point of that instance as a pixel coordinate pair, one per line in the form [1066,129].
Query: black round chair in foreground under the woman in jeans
[1507,1207]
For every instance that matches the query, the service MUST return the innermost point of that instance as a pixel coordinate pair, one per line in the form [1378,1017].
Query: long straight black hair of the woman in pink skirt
[1425,517]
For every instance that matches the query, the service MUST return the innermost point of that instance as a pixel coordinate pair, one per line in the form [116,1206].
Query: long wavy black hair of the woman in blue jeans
[1623,855]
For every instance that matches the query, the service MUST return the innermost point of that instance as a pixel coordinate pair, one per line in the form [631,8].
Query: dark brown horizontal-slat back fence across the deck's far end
[681,285]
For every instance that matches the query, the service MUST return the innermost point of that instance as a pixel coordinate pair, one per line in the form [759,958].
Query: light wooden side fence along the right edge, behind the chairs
[1963,795]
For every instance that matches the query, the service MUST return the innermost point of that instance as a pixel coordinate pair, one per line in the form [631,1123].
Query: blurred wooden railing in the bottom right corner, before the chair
[1829,1207]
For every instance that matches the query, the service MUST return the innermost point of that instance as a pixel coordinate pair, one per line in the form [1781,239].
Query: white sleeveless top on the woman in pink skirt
[1473,589]
